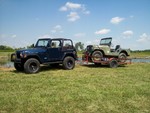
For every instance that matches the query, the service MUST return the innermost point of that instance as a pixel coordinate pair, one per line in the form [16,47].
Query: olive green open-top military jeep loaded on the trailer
[99,52]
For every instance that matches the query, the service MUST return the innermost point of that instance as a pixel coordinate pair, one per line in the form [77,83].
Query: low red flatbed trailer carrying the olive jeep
[112,62]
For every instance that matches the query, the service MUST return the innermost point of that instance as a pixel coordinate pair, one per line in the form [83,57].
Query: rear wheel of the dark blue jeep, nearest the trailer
[68,63]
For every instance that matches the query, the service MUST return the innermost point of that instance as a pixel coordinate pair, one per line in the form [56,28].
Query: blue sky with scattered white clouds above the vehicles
[22,22]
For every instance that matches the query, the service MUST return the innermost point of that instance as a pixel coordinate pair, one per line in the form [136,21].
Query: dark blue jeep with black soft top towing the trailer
[46,51]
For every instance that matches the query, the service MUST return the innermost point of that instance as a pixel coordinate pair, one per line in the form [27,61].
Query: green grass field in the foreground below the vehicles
[85,89]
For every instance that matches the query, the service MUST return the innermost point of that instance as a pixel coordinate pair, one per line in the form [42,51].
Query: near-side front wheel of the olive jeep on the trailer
[97,56]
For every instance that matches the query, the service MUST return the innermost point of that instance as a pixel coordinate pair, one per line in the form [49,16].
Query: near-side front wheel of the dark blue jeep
[31,66]
